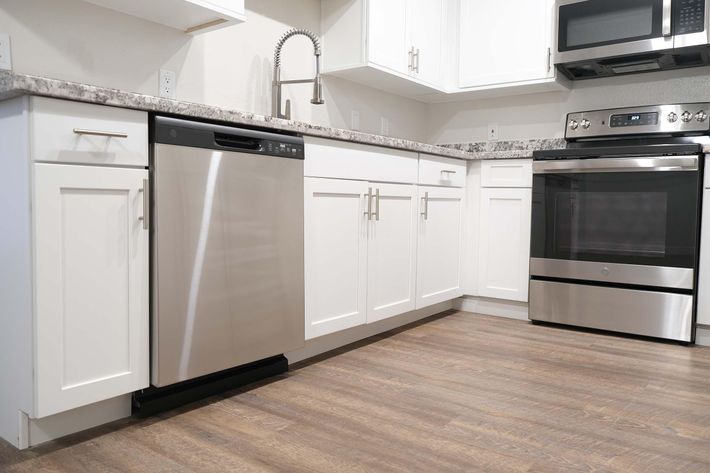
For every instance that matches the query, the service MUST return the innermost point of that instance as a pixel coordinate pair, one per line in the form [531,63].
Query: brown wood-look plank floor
[457,393]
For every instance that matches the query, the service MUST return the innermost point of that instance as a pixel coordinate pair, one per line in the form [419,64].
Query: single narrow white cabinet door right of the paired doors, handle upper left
[440,245]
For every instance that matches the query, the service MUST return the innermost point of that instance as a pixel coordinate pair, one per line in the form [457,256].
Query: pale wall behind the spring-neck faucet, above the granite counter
[231,67]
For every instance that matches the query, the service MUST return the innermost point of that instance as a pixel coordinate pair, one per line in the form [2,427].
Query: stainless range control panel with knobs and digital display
[678,119]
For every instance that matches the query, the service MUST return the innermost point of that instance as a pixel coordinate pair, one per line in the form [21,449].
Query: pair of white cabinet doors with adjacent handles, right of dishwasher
[360,247]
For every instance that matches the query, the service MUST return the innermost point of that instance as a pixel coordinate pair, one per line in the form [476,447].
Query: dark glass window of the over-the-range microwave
[602,22]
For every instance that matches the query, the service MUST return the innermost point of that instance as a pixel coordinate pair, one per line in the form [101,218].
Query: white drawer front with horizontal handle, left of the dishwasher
[75,132]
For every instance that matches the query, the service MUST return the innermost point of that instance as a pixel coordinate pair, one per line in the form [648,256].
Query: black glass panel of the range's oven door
[647,218]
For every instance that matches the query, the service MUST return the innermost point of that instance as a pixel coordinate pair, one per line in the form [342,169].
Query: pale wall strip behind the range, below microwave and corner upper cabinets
[543,115]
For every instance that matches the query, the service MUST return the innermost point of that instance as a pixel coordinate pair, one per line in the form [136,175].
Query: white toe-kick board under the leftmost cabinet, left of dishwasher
[34,432]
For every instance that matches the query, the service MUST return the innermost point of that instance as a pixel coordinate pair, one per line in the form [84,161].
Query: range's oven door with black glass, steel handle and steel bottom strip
[627,220]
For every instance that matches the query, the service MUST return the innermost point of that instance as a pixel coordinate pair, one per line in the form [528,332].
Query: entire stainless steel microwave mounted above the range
[601,38]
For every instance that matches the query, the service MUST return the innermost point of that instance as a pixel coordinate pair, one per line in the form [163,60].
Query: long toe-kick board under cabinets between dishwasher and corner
[330,342]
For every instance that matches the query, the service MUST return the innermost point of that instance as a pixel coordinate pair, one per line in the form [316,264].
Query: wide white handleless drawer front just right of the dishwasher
[343,160]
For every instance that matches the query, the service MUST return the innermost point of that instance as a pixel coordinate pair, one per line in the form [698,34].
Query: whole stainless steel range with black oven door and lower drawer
[616,221]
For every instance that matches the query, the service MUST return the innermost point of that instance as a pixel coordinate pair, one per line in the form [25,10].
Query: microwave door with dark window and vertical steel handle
[591,29]
